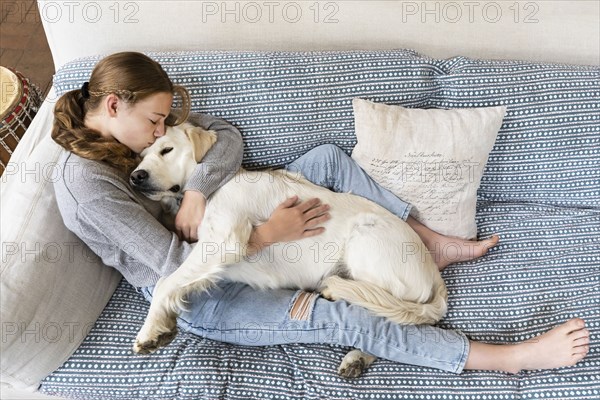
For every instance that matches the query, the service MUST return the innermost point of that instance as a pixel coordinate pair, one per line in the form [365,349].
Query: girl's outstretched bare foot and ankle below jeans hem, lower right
[562,346]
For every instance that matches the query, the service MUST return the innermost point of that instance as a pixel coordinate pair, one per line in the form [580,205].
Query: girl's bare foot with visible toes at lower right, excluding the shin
[563,346]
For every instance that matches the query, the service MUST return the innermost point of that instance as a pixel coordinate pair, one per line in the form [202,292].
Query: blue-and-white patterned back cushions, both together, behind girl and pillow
[285,103]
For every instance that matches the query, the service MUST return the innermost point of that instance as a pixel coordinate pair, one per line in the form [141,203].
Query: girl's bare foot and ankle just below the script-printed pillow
[447,250]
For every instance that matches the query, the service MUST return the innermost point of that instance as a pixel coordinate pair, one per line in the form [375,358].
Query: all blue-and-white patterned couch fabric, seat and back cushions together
[545,271]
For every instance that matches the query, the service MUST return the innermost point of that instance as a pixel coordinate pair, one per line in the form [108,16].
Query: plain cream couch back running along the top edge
[559,31]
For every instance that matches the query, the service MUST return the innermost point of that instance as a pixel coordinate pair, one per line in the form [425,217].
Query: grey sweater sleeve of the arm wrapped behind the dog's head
[223,159]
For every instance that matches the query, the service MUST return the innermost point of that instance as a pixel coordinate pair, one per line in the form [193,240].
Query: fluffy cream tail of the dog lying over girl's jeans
[383,303]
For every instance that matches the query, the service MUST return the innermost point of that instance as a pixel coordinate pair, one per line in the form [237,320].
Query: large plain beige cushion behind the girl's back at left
[52,287]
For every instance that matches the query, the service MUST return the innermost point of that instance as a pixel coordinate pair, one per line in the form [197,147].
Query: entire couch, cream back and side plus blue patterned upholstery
[67,321]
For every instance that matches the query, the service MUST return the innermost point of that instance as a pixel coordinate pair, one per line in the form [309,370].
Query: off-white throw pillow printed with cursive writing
[432,159]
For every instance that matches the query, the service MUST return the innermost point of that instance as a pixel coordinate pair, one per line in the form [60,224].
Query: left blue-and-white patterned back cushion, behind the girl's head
[287,103]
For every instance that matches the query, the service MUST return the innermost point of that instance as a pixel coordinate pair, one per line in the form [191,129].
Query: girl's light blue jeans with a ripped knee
[235,313]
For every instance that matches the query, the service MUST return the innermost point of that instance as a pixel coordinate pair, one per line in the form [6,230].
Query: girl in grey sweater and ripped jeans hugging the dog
[124,108]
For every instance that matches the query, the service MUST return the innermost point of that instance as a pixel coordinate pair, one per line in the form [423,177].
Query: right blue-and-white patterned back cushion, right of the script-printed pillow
[548,149]
